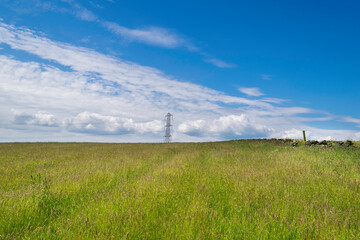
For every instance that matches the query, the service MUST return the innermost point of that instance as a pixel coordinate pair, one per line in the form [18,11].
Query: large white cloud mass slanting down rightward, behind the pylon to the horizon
[74,93]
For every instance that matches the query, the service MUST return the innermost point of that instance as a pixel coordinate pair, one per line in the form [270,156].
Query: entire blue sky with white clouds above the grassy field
[110,70]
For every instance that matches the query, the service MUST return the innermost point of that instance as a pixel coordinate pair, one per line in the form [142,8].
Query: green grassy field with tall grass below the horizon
[225,190]
